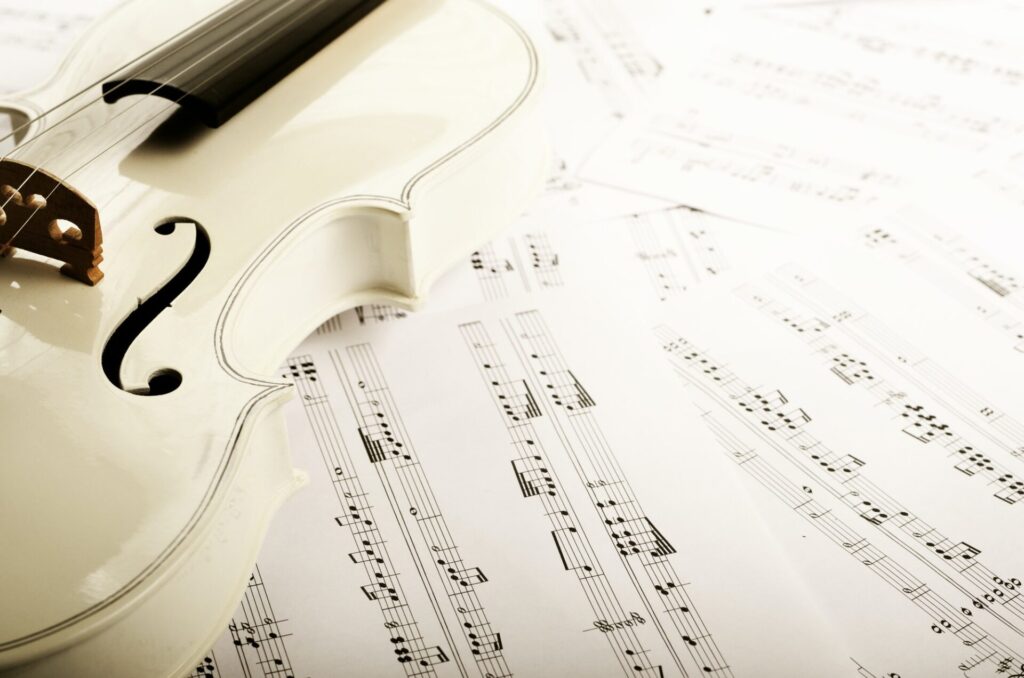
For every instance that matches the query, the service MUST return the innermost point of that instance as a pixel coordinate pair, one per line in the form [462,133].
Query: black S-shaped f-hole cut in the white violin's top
[165,380]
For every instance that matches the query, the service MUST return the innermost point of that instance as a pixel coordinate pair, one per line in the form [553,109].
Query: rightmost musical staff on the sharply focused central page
[643,549]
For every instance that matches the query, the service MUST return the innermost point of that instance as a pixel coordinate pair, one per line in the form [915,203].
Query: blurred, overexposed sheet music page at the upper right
[800,117]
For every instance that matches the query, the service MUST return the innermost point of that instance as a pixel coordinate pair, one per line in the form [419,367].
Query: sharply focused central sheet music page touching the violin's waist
[545,523]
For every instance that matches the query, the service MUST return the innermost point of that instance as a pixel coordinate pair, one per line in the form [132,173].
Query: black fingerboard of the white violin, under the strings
[228,62]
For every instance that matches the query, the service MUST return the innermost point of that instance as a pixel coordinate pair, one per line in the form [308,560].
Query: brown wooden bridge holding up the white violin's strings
[33,203]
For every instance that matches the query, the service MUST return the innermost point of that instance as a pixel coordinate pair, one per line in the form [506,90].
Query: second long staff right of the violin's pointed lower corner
[392,451]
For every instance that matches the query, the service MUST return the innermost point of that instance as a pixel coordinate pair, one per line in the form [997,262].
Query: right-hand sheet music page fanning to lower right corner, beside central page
[904,436]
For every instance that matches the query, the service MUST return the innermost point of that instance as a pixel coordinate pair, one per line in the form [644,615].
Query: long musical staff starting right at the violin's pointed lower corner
[372,554]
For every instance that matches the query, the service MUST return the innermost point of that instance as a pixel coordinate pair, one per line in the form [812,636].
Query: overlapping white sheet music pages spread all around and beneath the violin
[738,397]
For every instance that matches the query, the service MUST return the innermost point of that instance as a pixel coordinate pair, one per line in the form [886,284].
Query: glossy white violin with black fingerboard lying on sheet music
[199,187]
